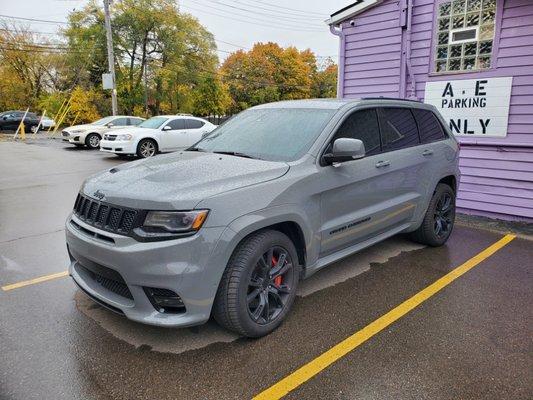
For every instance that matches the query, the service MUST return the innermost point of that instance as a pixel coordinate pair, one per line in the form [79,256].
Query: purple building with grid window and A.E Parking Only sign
[472,59]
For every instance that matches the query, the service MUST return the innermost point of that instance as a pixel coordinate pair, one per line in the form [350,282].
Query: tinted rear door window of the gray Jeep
[398,129]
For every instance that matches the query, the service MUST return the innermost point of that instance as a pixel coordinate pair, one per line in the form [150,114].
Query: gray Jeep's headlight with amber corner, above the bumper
[168,224]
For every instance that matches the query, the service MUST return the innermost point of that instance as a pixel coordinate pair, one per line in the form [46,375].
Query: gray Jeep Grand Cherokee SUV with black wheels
[230,226]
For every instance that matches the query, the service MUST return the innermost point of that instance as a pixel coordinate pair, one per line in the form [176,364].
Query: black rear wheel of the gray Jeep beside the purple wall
[439,220]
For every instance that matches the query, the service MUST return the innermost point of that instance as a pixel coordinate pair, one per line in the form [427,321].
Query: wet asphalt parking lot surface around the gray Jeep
[471,340]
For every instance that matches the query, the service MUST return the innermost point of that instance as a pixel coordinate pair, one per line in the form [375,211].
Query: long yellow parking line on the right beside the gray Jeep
[309,370]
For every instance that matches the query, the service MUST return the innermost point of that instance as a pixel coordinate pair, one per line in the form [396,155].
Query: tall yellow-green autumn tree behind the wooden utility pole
[159,52]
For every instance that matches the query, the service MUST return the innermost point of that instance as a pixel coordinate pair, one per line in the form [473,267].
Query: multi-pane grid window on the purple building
[465,34]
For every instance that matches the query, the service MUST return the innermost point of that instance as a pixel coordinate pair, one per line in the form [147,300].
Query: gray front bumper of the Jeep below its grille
[191,267]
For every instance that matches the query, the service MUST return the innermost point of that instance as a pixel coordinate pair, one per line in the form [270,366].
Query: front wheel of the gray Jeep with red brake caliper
[236,307]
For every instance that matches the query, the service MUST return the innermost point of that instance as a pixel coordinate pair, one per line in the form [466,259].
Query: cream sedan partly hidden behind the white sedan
[90,134]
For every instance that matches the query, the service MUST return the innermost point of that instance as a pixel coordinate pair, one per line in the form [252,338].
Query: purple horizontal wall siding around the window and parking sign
[496,180]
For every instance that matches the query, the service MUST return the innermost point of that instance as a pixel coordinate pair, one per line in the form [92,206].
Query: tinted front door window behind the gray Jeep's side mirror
[362,125]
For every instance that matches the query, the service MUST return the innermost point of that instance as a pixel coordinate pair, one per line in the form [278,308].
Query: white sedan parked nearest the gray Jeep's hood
[157,134]
